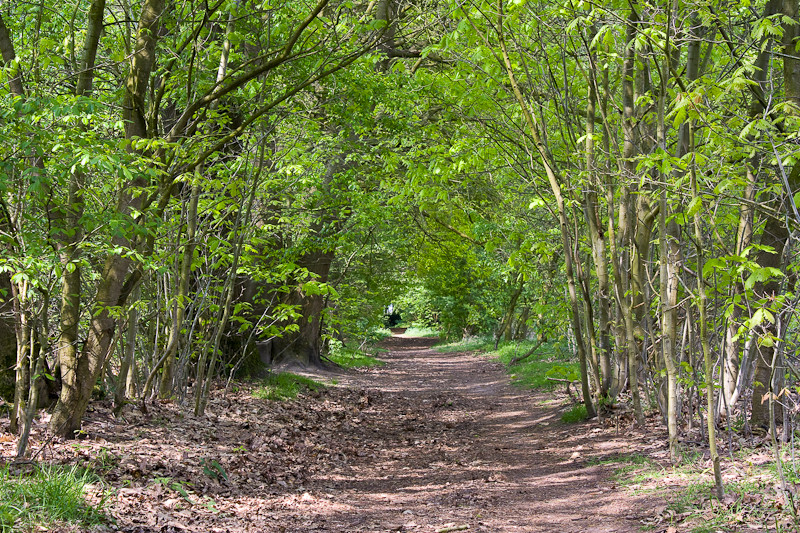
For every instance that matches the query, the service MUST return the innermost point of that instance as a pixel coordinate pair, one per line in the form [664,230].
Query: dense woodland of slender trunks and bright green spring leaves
[192,188]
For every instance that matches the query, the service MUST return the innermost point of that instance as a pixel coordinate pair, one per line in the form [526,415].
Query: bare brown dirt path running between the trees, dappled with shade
[454,443]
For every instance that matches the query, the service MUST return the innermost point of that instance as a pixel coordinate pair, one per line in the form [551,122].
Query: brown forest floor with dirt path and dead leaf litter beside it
[427,442]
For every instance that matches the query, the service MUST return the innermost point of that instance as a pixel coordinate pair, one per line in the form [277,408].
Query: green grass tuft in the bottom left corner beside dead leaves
[48,496]
